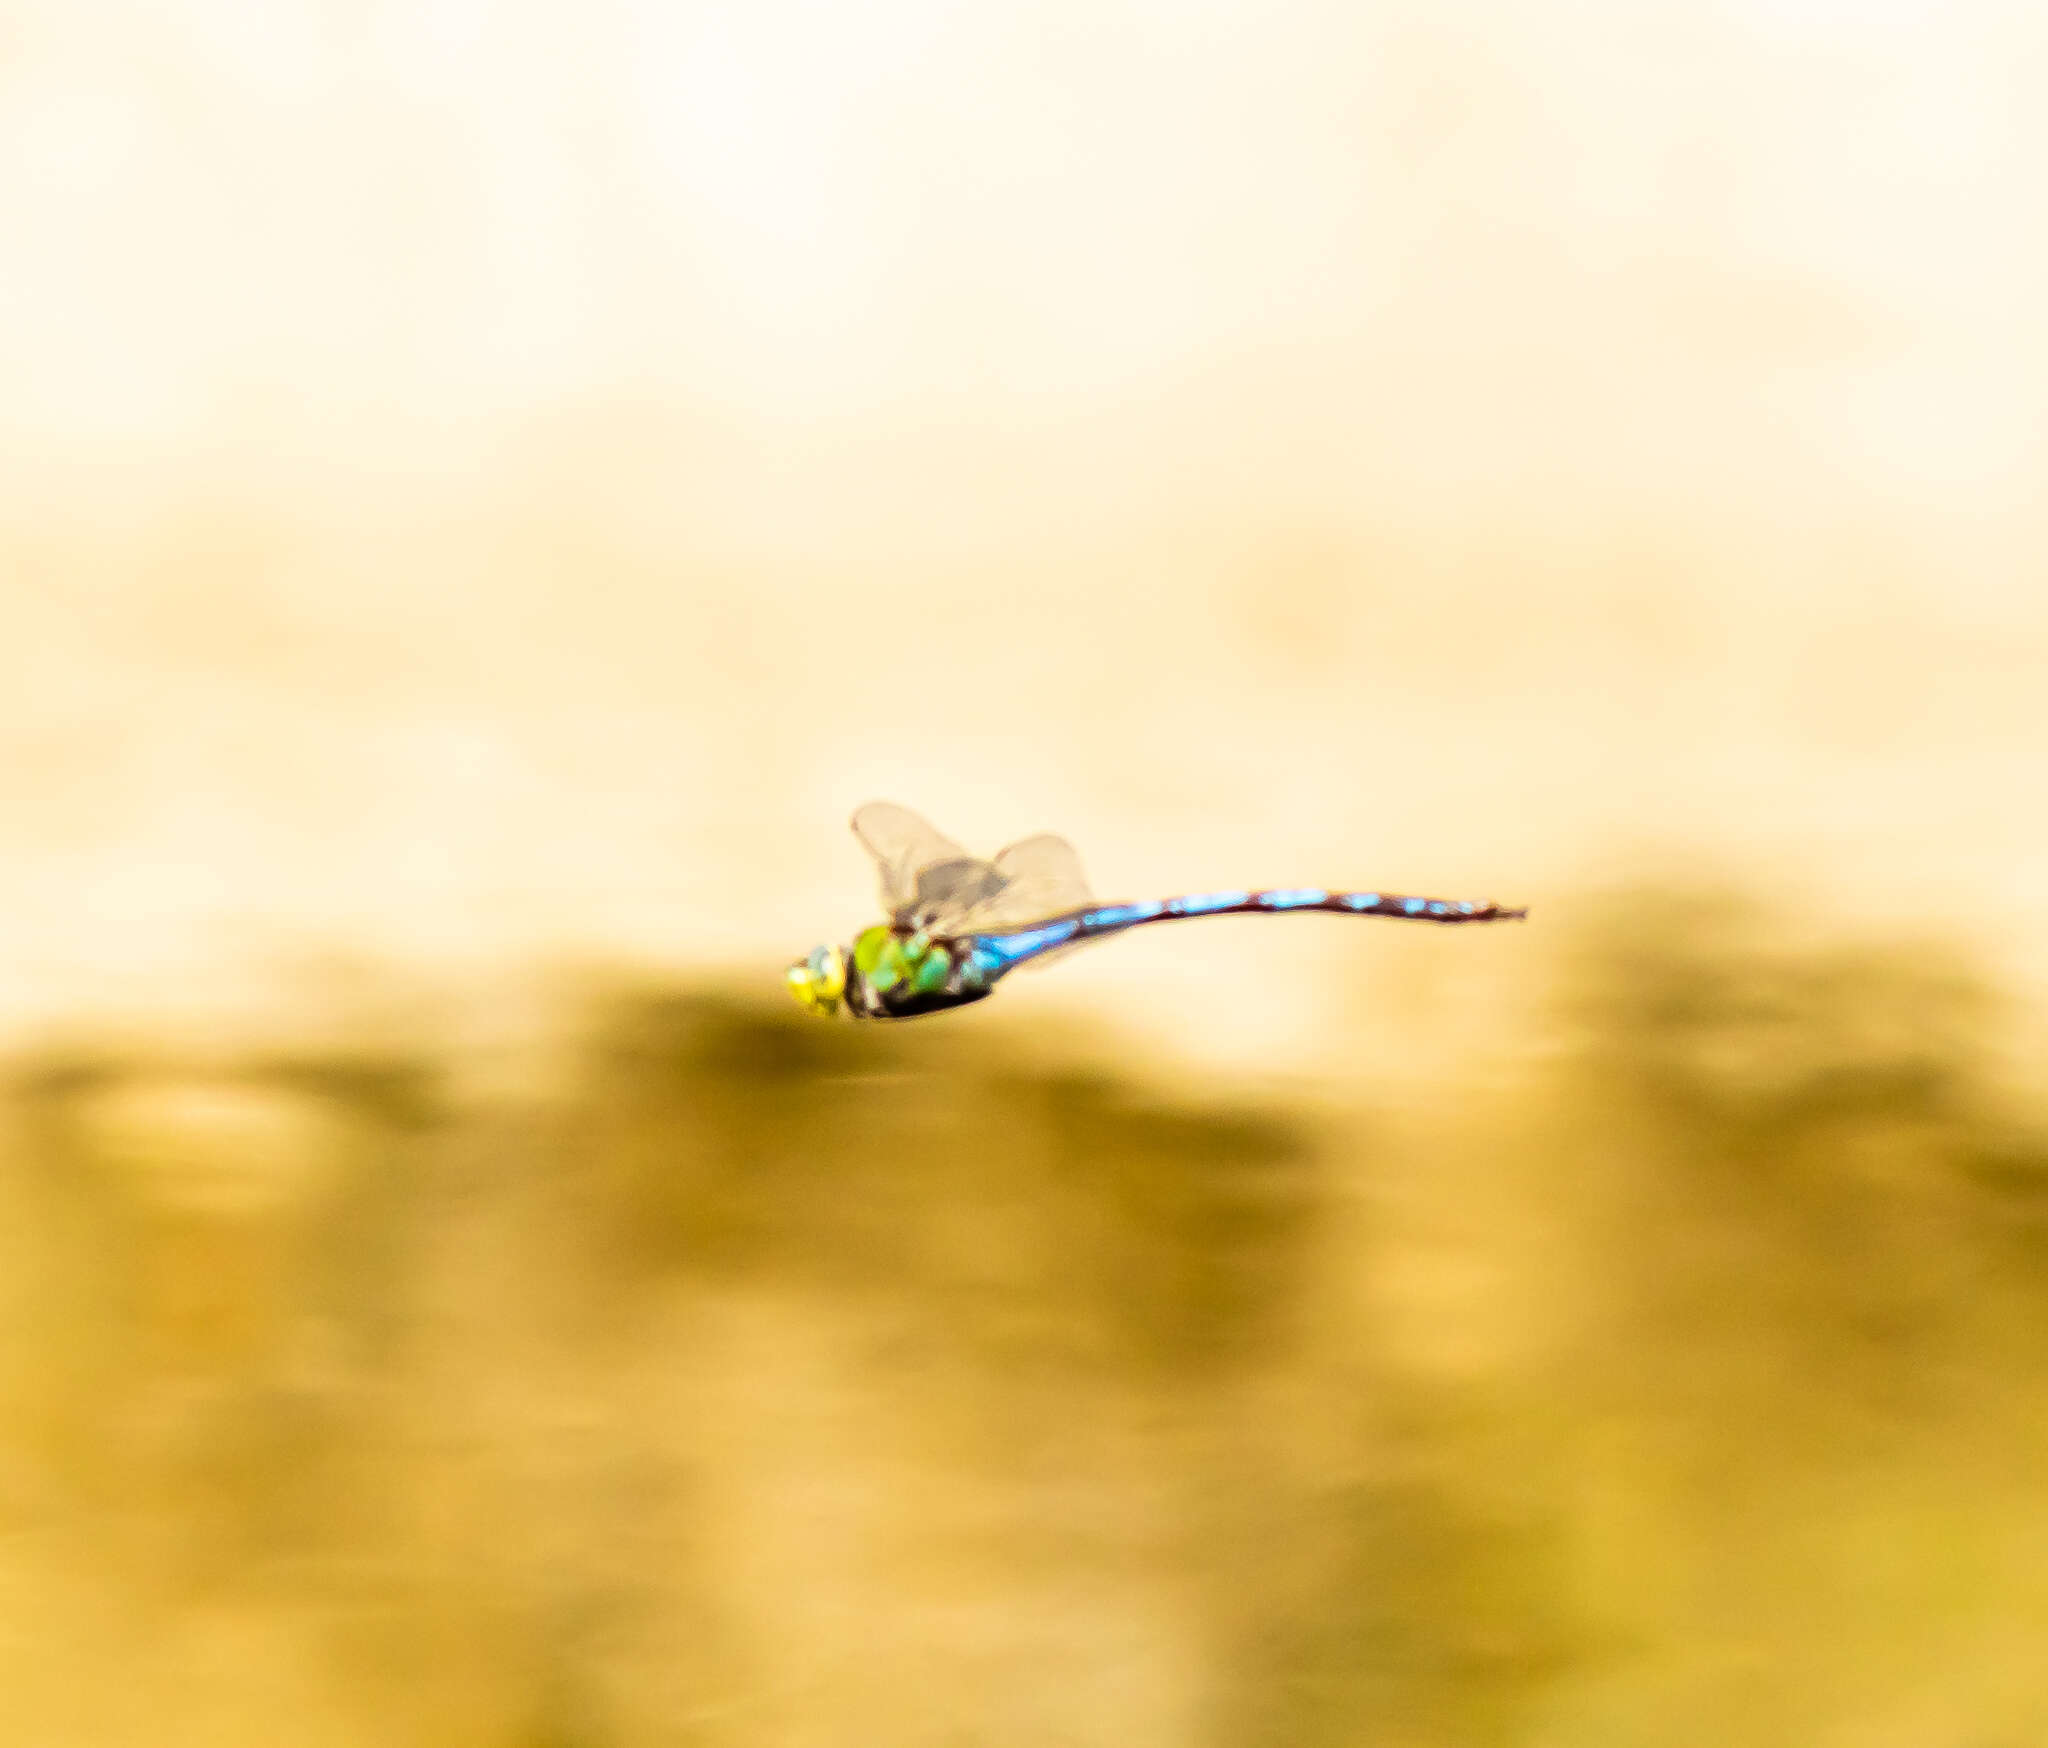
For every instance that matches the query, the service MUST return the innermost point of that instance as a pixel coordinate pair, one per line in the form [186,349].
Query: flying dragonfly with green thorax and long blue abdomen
[959,924]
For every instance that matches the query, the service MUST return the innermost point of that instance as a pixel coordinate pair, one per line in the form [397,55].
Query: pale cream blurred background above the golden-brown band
[503,476]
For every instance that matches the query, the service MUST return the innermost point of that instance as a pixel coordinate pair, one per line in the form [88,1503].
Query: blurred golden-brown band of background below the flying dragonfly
[738,1379]
